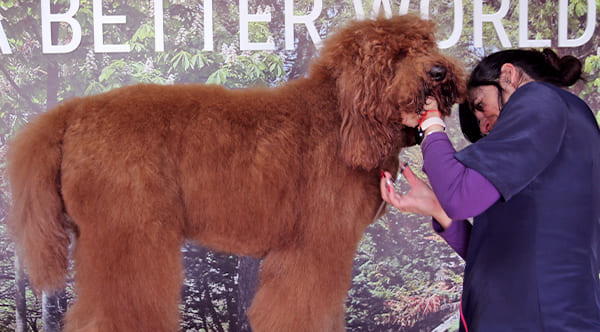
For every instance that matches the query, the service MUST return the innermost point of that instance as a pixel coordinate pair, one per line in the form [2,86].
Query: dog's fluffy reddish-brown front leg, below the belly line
[302,289]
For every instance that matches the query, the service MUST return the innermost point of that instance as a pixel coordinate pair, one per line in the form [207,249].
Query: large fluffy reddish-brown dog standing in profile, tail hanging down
[290,174]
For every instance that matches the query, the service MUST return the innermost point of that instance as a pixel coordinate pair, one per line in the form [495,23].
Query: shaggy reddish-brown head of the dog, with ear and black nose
[384,69]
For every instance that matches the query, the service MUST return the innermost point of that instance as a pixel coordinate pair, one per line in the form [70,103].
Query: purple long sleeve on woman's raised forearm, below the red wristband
[462,192]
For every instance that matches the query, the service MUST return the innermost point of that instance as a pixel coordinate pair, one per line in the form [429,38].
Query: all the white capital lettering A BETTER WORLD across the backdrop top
[68,24]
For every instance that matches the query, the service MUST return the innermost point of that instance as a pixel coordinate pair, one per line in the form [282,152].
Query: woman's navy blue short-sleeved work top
[532,261]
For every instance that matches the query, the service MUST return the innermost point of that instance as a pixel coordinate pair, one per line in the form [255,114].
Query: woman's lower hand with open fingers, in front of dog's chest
[420,199]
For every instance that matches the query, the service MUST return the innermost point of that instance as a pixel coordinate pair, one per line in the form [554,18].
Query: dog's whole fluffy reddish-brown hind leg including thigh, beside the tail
[128,269]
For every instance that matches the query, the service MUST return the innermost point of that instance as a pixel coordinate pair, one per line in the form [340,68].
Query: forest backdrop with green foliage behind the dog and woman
[405,277]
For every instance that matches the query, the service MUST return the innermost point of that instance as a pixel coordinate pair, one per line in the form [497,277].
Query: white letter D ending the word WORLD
[563,22]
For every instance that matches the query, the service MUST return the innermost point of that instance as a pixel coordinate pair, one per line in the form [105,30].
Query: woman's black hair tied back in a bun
[544,66]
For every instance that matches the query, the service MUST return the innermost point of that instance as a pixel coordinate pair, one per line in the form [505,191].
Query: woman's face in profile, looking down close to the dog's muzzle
[486,106]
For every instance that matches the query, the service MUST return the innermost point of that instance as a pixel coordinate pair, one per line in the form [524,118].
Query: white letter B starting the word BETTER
[48,18]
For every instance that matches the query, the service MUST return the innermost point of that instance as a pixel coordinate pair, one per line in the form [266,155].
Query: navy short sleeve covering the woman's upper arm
[527,137]
